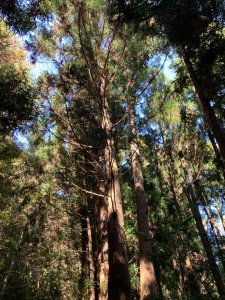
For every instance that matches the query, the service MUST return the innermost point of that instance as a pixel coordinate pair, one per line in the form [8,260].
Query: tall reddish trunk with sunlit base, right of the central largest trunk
[148,283]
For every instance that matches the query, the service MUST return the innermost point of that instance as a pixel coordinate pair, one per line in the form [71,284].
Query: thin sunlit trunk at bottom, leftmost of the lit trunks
[91,261]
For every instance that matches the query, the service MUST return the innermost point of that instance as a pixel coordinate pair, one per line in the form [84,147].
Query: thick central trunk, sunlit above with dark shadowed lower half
[119,284]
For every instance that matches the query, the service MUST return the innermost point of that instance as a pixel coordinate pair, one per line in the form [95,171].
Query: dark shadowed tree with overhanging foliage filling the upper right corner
[192,23]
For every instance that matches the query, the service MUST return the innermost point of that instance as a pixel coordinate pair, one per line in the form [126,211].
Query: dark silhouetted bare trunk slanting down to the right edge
[208,111]
